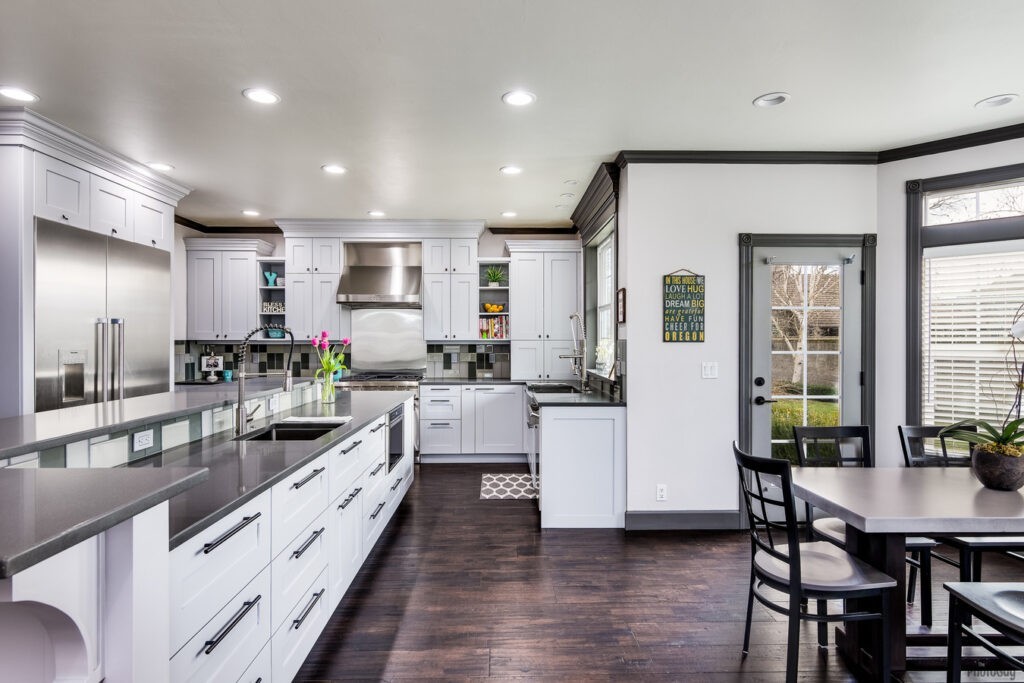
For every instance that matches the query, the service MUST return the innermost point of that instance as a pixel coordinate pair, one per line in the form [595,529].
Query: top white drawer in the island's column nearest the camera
[211,568]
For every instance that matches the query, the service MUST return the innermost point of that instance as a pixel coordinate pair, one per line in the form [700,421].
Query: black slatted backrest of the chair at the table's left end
[767,487]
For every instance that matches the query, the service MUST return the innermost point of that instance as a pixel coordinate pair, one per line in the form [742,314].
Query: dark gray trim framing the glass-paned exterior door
[748,243]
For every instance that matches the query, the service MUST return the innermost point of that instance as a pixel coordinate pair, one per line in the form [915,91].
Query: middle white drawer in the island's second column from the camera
[296,569]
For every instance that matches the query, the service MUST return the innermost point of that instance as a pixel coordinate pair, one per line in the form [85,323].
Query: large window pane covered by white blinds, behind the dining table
[971,294]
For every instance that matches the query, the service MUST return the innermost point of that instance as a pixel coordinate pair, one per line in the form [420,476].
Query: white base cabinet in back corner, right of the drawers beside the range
[493,419]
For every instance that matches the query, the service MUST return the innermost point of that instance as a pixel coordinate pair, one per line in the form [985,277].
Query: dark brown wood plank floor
[458,588]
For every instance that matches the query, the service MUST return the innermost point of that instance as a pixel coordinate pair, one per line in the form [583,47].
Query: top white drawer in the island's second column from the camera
[296,502]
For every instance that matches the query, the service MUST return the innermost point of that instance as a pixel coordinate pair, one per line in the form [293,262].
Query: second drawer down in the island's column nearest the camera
[225,648]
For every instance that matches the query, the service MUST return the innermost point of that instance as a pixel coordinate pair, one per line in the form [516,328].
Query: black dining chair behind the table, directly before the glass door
[851,447]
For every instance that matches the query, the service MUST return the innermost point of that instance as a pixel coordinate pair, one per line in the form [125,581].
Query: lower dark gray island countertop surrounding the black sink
[241,471]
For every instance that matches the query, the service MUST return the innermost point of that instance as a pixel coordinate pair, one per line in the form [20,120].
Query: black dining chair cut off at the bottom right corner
[999,607]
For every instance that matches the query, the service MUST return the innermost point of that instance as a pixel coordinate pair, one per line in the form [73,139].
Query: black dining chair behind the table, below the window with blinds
[920,451]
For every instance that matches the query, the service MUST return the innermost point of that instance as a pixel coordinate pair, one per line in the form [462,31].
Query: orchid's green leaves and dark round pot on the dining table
[997,455]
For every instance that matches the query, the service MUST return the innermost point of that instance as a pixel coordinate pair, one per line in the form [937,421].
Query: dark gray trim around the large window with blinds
[920,236]
